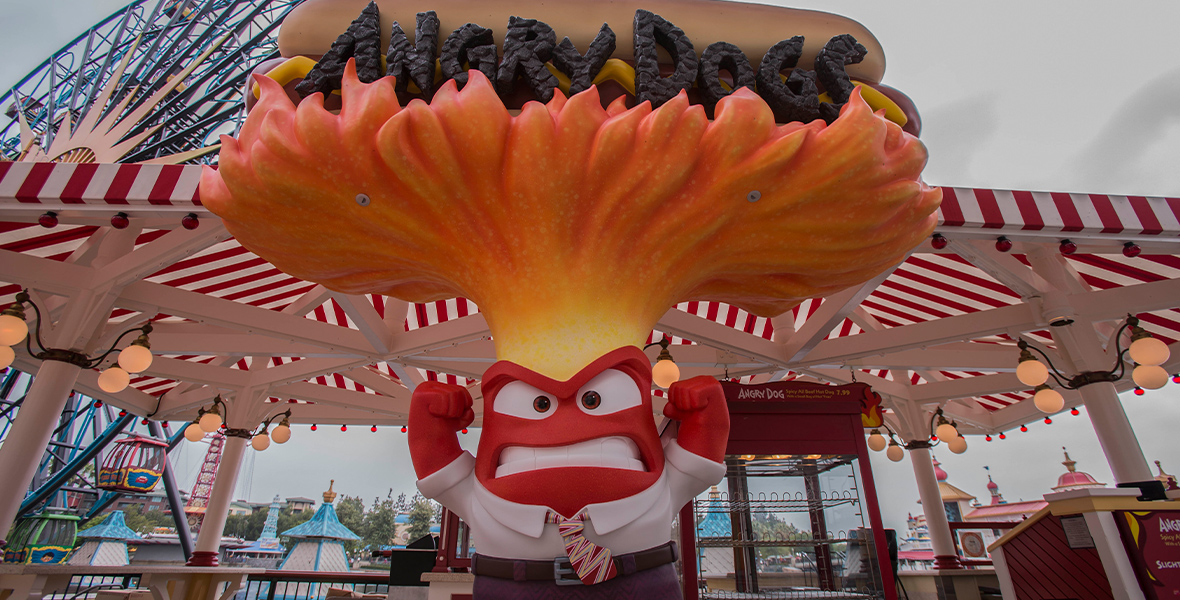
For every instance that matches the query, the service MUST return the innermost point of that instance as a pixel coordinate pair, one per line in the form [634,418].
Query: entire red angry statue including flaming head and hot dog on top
[576,193]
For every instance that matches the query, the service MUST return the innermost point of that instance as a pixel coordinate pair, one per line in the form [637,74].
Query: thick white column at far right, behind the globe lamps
[1081,347]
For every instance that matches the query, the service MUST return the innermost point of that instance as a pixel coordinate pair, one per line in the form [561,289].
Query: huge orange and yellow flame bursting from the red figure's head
[572,226]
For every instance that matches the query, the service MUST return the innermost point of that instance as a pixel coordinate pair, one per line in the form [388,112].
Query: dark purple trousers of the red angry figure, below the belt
[655,584]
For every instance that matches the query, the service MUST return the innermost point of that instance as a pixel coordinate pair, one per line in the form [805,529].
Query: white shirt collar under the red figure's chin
[605,518]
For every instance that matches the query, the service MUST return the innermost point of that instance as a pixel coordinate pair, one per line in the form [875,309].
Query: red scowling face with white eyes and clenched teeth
[567,445]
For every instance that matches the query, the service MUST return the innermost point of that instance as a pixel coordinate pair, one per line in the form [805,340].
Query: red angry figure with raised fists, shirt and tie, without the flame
[573,485]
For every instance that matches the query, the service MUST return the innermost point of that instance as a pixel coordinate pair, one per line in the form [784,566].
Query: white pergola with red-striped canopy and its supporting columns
[938,331]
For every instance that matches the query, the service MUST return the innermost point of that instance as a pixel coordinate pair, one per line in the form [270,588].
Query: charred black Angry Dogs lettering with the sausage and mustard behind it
[533,66]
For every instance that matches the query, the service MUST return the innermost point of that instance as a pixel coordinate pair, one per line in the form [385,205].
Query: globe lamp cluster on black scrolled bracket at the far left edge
[133,360]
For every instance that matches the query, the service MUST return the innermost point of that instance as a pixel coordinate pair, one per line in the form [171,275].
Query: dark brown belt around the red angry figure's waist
[560,570]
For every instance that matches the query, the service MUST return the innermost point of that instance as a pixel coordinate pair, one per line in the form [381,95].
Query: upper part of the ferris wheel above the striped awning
[158,82]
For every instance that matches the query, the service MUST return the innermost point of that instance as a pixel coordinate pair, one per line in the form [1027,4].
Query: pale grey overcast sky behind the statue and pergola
[1057,96]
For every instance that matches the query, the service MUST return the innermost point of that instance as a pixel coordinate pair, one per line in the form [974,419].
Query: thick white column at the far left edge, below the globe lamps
[30,435]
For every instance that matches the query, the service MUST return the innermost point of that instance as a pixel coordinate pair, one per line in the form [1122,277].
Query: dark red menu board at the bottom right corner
[1153,543]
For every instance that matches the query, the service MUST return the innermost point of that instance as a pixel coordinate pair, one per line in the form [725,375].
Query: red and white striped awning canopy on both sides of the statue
[942,327]
